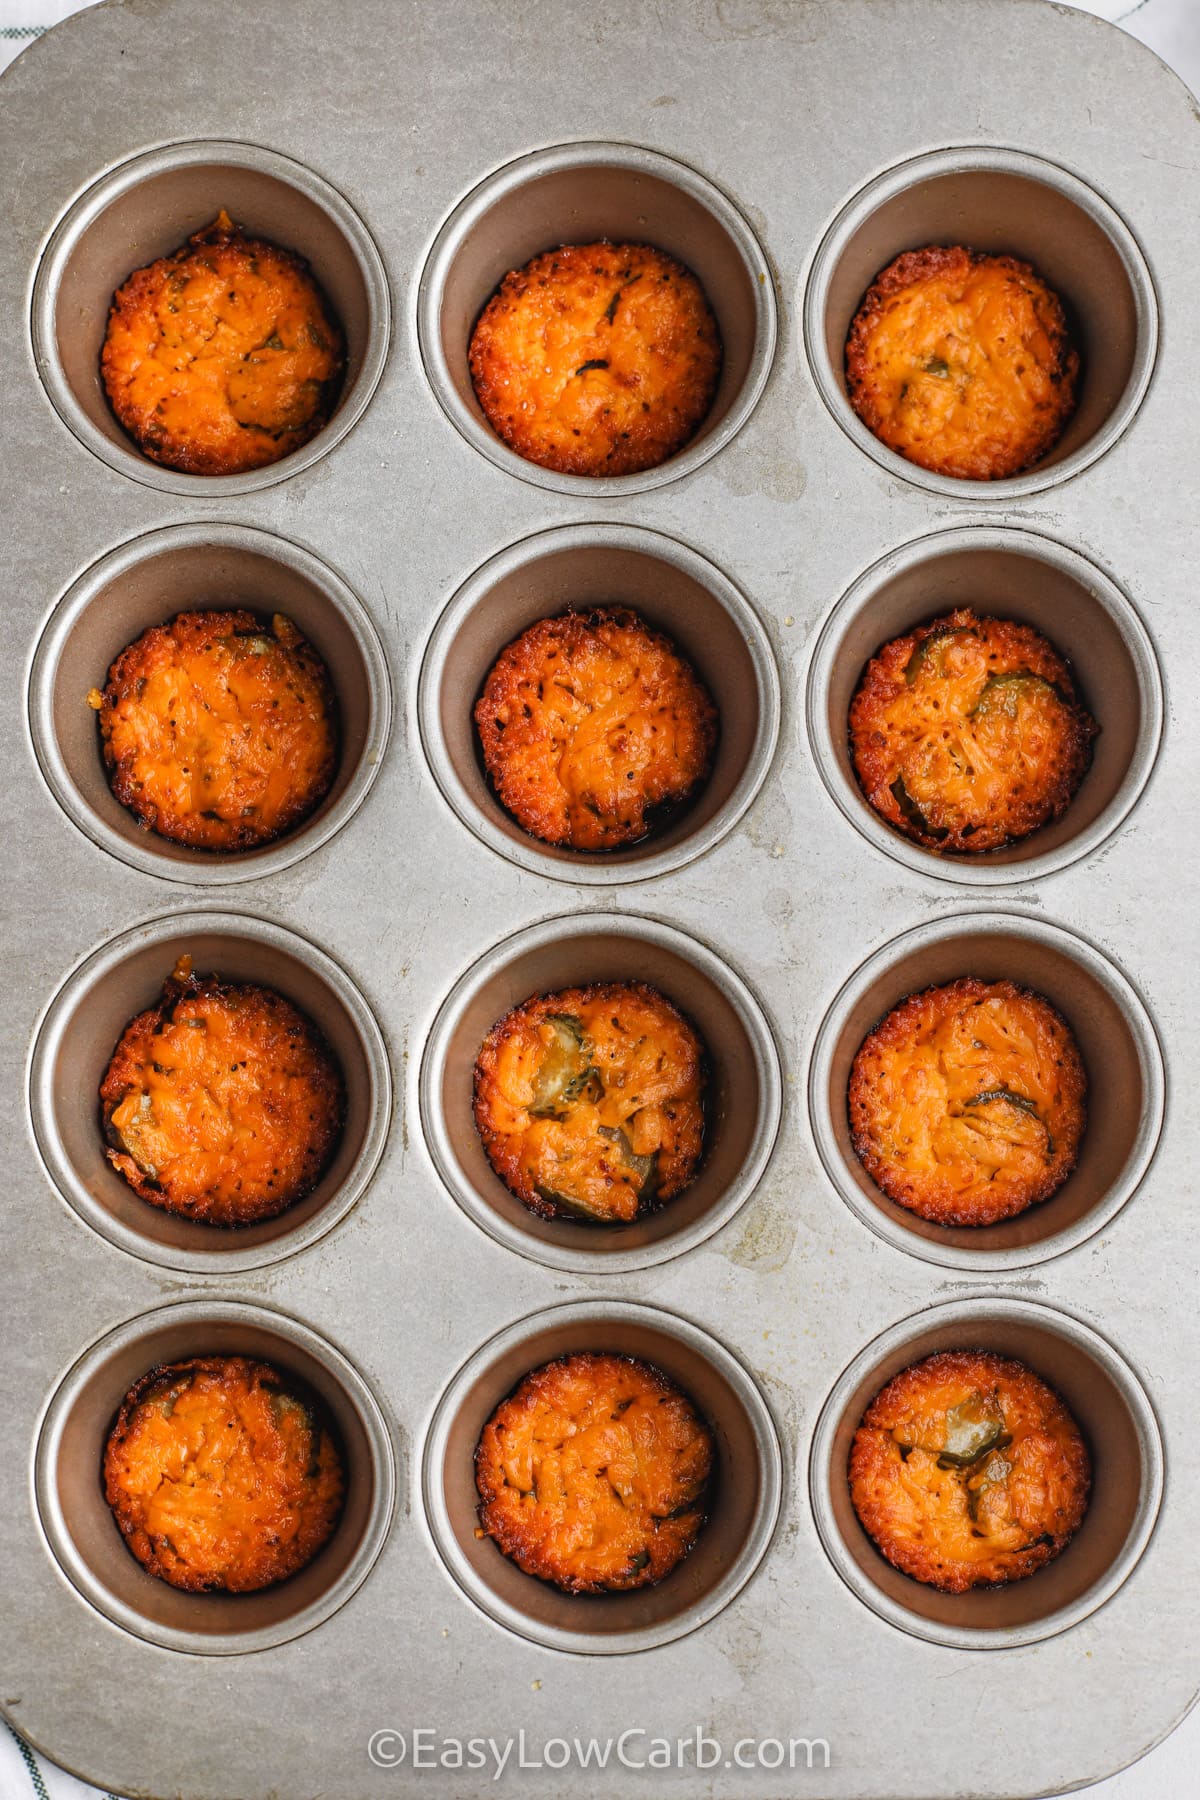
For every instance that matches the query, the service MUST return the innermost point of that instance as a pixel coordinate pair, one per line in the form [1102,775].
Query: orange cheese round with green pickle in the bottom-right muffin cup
[969,1471]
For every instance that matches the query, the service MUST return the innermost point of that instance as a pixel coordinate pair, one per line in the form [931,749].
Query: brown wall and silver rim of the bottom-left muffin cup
[85,1540]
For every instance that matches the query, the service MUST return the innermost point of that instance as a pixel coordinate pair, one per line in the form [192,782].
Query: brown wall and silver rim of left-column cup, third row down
[80,1032]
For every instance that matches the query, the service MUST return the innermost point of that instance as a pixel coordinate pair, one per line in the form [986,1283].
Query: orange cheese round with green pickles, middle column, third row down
[591,1102]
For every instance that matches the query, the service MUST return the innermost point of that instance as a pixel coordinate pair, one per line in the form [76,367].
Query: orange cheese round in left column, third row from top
[222,1102]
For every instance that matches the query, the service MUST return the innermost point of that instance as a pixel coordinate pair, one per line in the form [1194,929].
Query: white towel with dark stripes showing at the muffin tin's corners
[1172,28]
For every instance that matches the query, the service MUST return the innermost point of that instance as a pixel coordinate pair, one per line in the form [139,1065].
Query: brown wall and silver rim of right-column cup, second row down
[1010,575]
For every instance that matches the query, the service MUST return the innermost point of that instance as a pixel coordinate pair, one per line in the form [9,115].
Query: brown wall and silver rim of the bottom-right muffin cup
[1118,1423]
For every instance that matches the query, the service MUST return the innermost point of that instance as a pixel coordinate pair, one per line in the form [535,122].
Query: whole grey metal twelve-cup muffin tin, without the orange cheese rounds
[787,152]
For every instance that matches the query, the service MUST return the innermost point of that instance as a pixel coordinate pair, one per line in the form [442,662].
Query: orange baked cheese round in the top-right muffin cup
[963,363]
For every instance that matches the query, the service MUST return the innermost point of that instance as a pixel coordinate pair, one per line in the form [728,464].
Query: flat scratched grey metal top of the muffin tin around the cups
[791,109]
